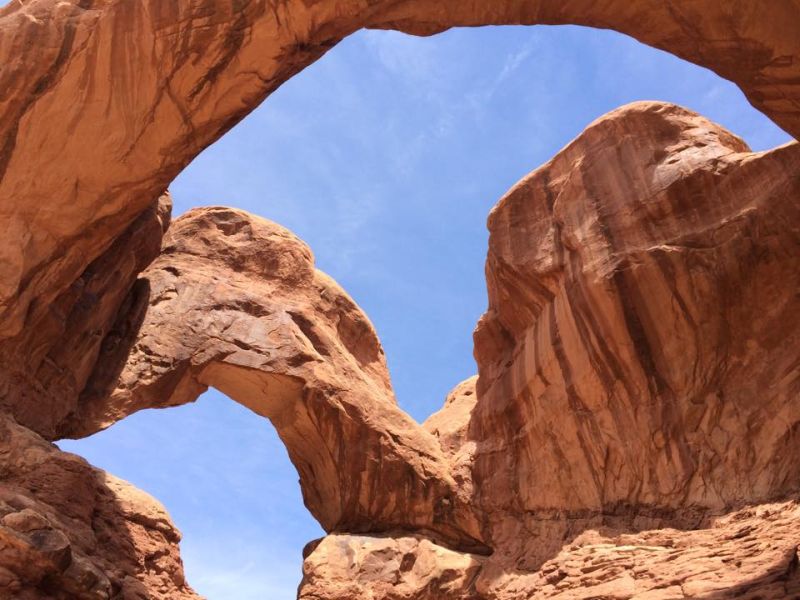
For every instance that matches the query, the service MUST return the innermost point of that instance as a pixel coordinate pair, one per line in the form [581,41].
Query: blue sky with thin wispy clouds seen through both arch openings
[385,156]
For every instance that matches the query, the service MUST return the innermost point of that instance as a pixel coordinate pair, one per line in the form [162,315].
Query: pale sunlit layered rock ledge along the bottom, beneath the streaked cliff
[750,554]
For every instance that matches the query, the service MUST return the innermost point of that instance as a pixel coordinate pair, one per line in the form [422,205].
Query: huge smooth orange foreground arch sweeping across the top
[116,97]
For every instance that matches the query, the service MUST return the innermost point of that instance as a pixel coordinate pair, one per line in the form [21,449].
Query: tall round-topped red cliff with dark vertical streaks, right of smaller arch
[636,348]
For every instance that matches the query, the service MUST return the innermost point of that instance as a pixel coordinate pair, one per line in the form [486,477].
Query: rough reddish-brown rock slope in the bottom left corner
[69,531]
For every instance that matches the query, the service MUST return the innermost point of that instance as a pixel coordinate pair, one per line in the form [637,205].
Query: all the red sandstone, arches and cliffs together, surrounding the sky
[634,427]
